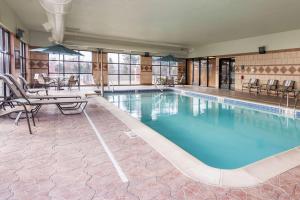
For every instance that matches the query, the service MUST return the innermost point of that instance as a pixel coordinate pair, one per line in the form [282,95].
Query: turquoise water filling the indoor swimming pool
[220,135]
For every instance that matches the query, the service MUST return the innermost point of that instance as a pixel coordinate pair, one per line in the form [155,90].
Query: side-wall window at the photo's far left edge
[4,57]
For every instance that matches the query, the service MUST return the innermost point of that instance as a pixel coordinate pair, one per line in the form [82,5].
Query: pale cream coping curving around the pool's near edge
[250,175]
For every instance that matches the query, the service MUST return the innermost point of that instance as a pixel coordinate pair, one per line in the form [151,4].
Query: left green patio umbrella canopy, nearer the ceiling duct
[57,49]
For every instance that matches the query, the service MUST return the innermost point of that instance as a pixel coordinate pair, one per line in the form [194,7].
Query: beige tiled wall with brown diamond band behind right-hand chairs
[284,65]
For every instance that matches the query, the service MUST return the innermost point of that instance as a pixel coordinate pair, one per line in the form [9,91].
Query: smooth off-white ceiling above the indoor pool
[186,23]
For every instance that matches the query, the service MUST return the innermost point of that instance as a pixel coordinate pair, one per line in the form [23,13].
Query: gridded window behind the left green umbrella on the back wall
[63,66]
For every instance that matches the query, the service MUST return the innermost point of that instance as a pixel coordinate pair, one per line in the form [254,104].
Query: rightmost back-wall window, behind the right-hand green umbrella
[163,69]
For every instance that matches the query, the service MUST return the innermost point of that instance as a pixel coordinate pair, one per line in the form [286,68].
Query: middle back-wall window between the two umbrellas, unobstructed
[124,69]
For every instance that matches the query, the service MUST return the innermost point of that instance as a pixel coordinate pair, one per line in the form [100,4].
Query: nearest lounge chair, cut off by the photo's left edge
[19,108]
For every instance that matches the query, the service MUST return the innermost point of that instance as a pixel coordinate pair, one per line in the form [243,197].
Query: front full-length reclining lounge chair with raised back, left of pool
[66,106]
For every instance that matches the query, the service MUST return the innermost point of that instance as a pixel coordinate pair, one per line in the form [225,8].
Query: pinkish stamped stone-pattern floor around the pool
[63,159]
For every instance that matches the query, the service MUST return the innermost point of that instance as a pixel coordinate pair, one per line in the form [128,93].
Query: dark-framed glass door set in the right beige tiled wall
[227,73]
